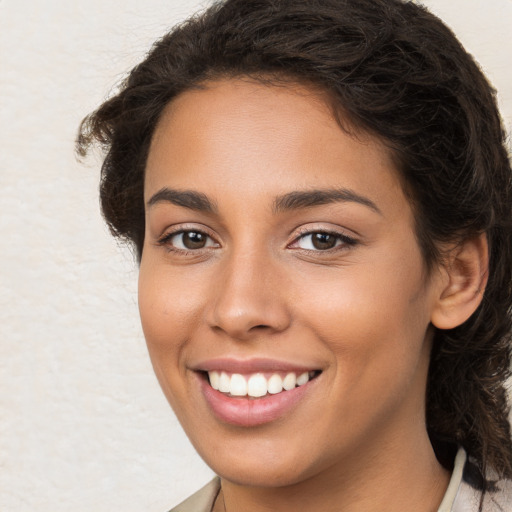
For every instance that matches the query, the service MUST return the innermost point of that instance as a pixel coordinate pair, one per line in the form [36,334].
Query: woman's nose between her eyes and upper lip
[249,298]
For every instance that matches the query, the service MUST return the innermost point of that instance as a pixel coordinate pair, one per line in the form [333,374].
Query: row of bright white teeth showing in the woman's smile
[256,385]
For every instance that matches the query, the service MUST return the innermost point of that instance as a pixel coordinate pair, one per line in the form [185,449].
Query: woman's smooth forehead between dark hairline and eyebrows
[263,138]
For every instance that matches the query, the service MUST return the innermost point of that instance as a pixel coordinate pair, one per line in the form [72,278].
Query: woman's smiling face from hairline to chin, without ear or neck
[280,251]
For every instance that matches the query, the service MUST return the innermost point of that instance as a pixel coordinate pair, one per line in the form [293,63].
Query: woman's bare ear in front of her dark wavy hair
[462,284]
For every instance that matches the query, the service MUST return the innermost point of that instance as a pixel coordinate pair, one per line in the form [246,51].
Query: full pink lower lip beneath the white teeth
[247,412]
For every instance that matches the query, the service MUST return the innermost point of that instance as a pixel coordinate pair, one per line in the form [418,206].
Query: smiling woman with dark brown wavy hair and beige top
[320,200]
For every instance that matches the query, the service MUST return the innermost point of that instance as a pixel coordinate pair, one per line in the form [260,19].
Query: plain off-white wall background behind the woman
[83,424]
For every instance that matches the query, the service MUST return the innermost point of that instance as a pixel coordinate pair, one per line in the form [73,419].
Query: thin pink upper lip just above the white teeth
[245,366]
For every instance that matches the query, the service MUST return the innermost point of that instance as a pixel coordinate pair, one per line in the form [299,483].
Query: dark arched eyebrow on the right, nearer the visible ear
[317,197]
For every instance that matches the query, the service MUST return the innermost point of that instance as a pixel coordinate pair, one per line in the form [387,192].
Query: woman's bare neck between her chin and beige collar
[399,476]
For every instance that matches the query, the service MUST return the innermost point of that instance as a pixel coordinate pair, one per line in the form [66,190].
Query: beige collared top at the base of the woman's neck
[460,495]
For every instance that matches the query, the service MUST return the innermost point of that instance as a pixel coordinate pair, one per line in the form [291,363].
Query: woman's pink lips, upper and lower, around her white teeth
[252,412]
